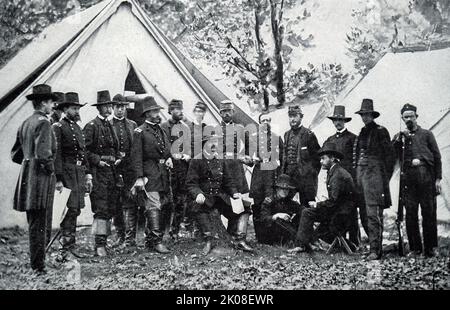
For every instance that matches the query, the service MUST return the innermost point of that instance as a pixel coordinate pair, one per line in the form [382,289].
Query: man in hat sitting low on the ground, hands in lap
[280,214]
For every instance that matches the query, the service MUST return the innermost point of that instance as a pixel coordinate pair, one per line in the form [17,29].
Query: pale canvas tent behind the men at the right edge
[420,78]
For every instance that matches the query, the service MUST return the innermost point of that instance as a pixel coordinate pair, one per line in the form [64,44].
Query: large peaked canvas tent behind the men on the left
[103,47]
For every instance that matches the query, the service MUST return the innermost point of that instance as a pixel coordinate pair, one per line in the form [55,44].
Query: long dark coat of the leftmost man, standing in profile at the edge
[36,145]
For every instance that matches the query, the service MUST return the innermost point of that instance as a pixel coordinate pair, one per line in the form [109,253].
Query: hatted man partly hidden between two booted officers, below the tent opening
[124,218]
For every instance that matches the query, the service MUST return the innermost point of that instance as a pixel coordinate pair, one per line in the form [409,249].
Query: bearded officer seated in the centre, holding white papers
[210,183]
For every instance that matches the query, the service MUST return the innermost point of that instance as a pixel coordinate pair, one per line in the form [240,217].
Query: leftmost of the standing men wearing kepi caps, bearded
[176,129]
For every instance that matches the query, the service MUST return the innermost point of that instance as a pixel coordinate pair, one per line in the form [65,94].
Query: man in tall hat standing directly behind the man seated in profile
[344,140]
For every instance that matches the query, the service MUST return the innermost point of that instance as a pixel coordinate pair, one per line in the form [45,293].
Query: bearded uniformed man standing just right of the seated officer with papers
[265,171]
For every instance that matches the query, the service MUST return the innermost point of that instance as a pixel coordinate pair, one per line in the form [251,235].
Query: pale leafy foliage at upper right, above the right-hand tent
[382,25]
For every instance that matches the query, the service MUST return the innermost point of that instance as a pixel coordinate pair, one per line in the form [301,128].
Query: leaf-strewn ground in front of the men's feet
[185,268]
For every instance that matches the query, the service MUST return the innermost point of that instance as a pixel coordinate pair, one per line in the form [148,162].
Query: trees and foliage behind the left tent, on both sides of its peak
[250,41]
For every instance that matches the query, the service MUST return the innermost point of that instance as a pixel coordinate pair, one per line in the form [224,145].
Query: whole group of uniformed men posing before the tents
[180,172]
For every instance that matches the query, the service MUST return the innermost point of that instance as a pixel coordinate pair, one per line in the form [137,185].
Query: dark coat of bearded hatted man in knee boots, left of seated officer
[151,148]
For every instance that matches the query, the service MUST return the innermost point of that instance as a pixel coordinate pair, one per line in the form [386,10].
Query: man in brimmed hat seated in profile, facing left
[331,211]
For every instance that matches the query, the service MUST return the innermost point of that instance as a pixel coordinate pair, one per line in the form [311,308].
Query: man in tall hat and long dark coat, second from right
[374,162]
